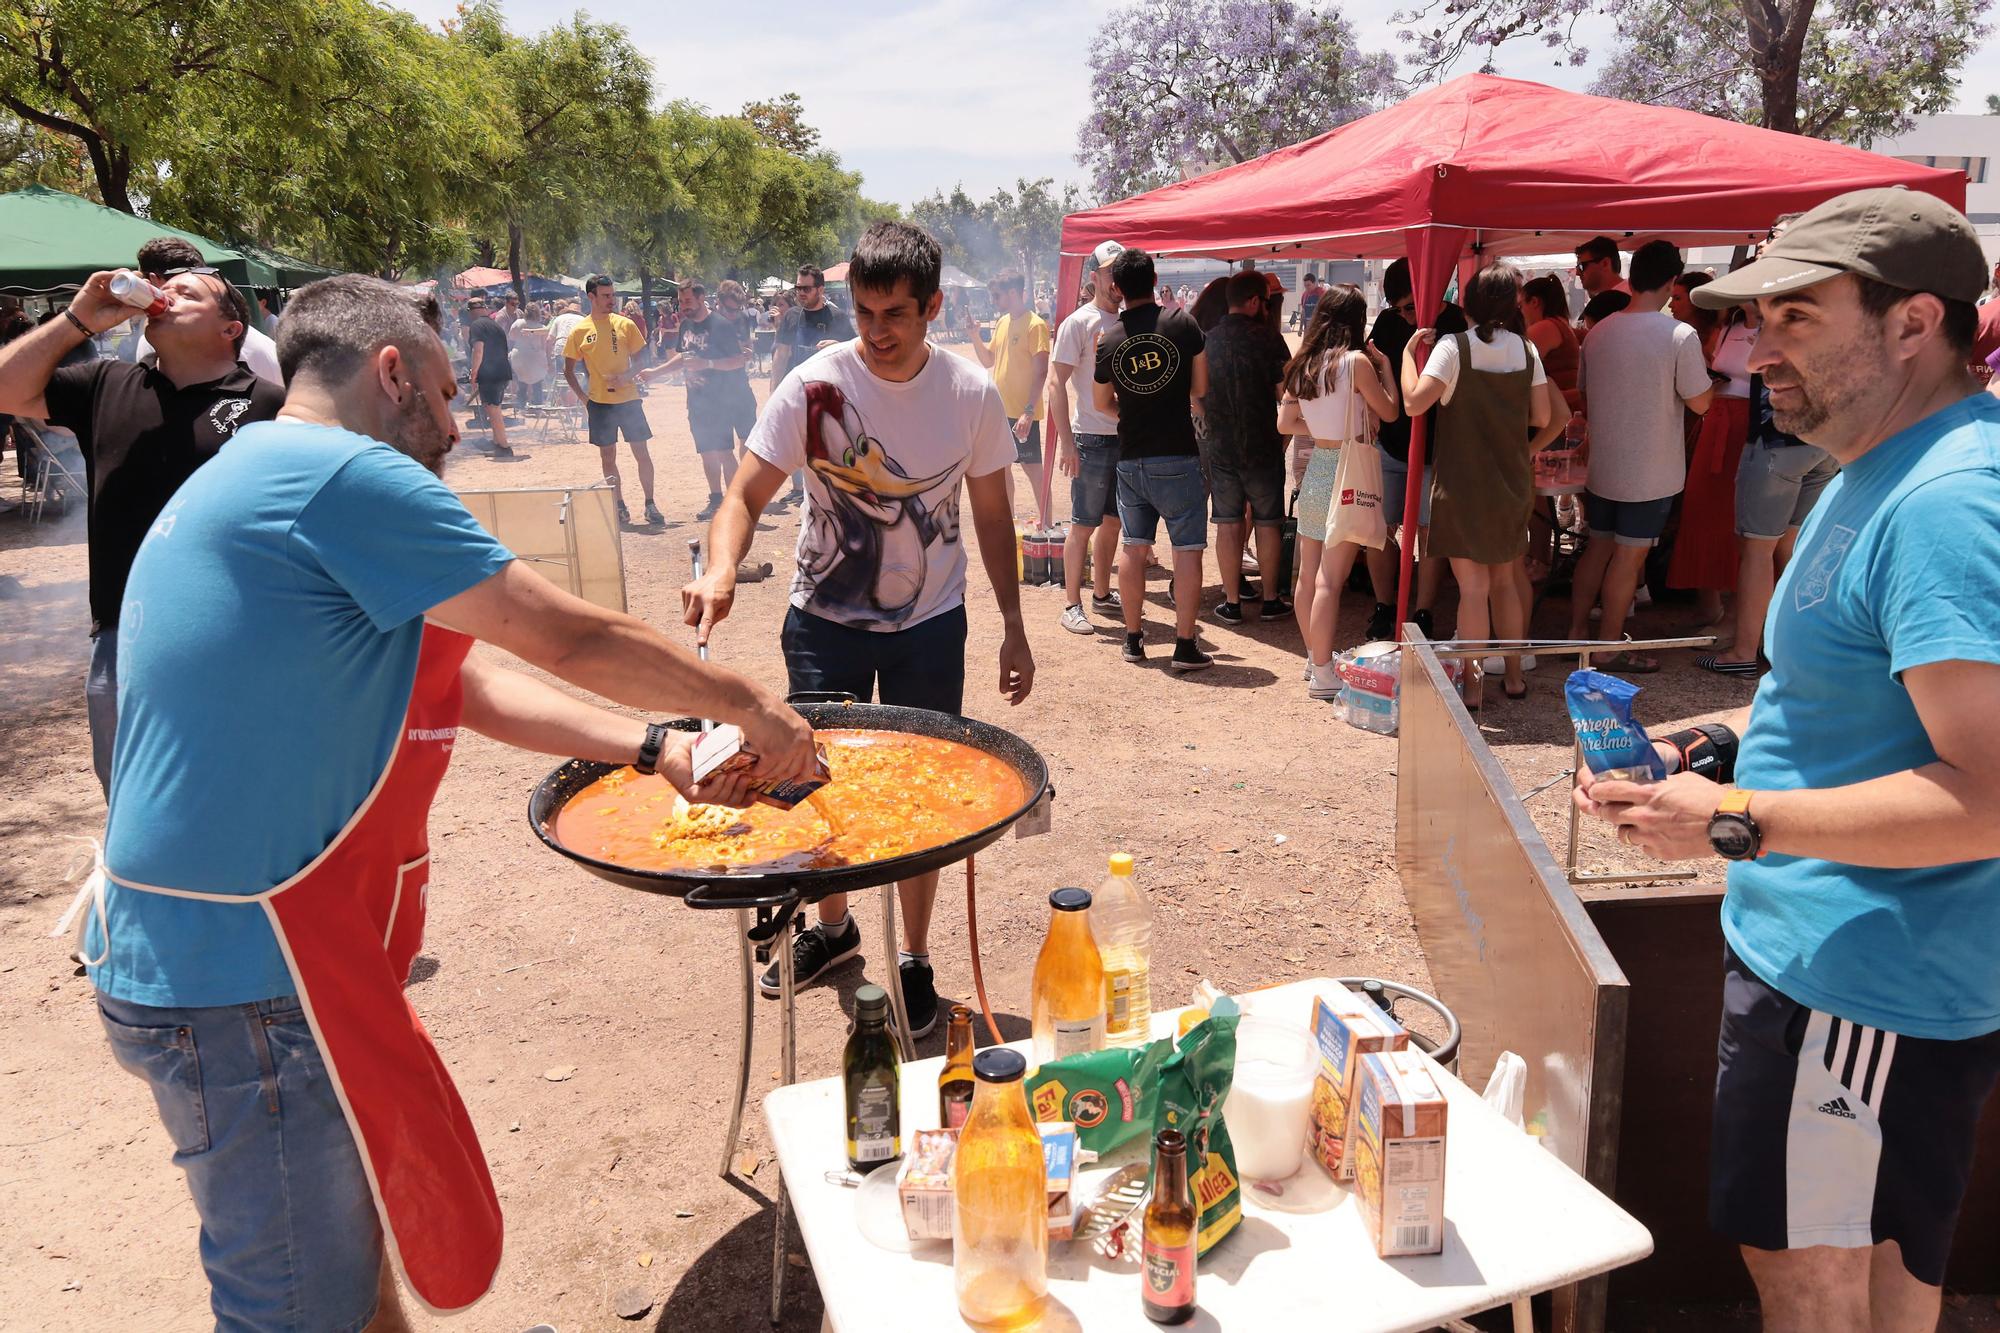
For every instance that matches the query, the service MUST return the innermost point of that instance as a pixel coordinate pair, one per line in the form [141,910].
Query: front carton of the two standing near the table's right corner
[1399,1154]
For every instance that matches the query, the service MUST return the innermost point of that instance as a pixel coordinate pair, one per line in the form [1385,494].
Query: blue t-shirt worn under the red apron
[265,661]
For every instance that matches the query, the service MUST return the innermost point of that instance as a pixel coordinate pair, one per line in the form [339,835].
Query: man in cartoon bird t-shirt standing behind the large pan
[887,429]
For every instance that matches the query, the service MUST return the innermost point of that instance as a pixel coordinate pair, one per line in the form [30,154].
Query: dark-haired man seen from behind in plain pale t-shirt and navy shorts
[1639,369]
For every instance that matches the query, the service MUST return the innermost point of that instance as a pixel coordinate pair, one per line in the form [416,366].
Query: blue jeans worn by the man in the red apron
[289,1228]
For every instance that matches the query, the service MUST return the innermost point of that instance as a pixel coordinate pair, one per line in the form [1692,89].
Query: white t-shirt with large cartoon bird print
[879,547]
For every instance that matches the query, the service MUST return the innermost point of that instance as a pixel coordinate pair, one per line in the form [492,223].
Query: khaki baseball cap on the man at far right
[1893,235]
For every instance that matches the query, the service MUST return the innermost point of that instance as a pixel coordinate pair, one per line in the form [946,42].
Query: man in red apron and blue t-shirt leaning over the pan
[301,631]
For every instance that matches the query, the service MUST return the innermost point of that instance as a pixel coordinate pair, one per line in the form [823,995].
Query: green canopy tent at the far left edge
[55,241]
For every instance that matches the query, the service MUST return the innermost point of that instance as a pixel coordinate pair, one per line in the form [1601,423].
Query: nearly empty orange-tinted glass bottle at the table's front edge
[999,1202]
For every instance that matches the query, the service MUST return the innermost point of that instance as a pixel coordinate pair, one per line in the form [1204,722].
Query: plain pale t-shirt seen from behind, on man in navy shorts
[1637,369]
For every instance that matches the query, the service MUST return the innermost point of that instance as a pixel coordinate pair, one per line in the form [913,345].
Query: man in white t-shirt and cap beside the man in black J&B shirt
[1087,447]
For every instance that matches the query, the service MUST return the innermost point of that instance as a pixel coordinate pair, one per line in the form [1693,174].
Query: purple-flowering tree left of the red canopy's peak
[1185,85]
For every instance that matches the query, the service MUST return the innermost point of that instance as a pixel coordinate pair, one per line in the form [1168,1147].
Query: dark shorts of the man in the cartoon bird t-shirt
[921,668]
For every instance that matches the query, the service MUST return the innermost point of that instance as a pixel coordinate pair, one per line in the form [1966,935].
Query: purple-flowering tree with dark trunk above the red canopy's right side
[1833,69]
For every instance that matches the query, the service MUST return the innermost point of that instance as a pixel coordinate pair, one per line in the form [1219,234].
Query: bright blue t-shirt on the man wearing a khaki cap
[1897,567]
